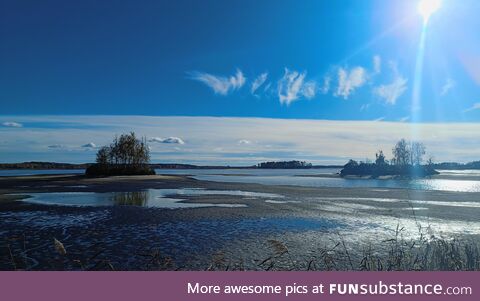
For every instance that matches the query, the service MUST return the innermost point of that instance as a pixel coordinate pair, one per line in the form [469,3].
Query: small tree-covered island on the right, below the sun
[406,163]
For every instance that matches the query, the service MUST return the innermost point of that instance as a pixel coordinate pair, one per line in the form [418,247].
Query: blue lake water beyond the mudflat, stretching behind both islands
[303,177]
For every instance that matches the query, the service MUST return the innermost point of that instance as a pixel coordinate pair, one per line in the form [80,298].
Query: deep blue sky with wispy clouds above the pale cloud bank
[347,60]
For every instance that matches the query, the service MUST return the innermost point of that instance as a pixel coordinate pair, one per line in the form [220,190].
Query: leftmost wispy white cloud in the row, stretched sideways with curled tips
[220,84]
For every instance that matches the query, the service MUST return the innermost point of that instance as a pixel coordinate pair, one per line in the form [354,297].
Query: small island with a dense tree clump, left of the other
[126,155]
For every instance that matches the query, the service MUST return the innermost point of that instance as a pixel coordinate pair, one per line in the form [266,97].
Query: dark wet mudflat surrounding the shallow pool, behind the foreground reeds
[136,238]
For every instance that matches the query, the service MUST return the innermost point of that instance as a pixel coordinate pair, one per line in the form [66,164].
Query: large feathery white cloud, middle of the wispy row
[292,86]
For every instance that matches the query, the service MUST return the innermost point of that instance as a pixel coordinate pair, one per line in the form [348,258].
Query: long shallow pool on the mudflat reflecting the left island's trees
[157,198]
